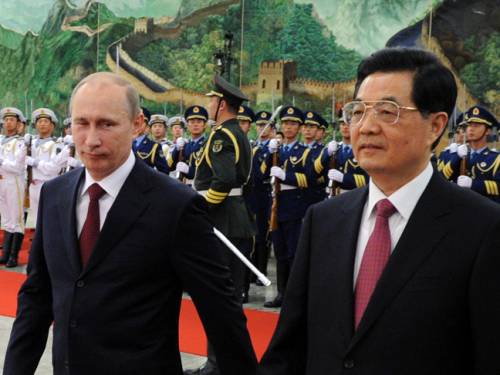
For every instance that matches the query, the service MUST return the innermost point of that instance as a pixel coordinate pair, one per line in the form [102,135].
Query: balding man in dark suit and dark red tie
[110,271]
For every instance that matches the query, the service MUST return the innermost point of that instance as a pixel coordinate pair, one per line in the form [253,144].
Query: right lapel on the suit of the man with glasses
[420,237]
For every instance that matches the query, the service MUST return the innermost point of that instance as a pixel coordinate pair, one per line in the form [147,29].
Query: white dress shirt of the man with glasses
[404,200]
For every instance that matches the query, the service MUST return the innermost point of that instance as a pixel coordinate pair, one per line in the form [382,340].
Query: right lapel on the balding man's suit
[127,207]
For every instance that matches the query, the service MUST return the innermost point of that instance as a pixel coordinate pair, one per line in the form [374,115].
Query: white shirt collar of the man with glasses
[406,197]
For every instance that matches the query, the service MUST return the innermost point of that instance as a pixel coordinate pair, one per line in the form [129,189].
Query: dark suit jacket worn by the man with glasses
[435,310]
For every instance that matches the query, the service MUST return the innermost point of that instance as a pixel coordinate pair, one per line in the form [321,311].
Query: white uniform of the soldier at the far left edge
[12,183]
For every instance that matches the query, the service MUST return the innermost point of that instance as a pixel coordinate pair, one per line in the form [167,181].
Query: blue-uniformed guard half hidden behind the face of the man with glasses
[338,158]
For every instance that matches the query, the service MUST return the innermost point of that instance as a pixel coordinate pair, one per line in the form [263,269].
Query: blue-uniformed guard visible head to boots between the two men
[292,173]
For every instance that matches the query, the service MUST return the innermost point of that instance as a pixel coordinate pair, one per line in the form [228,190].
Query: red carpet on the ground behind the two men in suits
[261,324]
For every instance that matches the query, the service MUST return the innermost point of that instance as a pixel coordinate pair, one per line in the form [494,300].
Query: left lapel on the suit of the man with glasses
[342,261]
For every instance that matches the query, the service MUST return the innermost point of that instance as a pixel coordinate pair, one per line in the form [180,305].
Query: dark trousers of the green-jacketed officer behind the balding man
[238,273]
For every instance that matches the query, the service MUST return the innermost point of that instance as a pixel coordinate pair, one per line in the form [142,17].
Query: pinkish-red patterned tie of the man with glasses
[375,257]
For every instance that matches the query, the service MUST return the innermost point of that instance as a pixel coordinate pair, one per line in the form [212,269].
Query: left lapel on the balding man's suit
[67,212]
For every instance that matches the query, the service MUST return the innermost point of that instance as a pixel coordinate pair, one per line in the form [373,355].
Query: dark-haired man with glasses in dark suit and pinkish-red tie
[400,277]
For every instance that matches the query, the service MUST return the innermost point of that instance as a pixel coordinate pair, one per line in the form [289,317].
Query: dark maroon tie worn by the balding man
[91,228]
